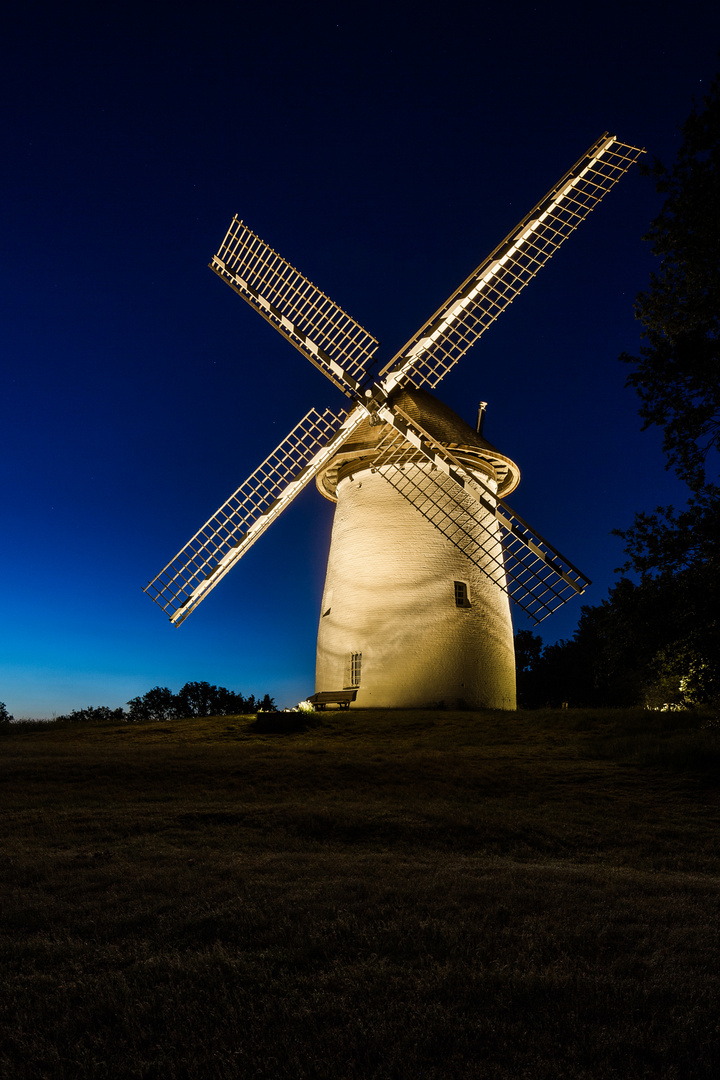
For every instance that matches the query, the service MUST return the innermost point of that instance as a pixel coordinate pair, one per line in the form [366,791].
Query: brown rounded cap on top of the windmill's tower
[440,422]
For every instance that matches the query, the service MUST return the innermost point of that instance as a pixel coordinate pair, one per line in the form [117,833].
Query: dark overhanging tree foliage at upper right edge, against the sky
[677,375]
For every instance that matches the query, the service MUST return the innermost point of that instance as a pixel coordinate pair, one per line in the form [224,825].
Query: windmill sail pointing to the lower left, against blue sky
[206,560]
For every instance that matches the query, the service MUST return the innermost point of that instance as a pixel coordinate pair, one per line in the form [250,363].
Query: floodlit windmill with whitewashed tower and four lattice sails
[426,553]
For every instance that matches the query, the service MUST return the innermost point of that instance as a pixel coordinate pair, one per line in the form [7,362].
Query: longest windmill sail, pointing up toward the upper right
[455,328]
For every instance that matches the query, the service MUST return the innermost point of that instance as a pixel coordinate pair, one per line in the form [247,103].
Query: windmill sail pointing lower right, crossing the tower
[536,576]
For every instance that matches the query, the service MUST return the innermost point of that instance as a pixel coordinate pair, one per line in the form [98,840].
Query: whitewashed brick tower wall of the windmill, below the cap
[389,595]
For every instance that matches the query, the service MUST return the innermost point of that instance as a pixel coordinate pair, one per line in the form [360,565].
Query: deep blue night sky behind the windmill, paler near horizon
[384,152]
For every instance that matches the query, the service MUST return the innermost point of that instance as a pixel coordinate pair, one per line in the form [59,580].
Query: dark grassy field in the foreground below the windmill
[383,896]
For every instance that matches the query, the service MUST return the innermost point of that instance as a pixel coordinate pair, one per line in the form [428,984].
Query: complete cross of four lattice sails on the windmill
[534,573]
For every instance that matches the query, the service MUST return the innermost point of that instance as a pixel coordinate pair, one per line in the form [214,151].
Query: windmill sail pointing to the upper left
[316,326]
